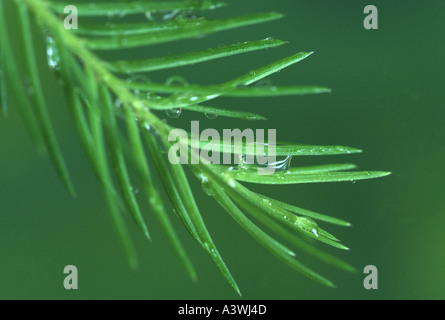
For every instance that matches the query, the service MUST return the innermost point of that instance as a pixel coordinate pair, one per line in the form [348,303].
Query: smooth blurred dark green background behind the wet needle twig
[387,99]
